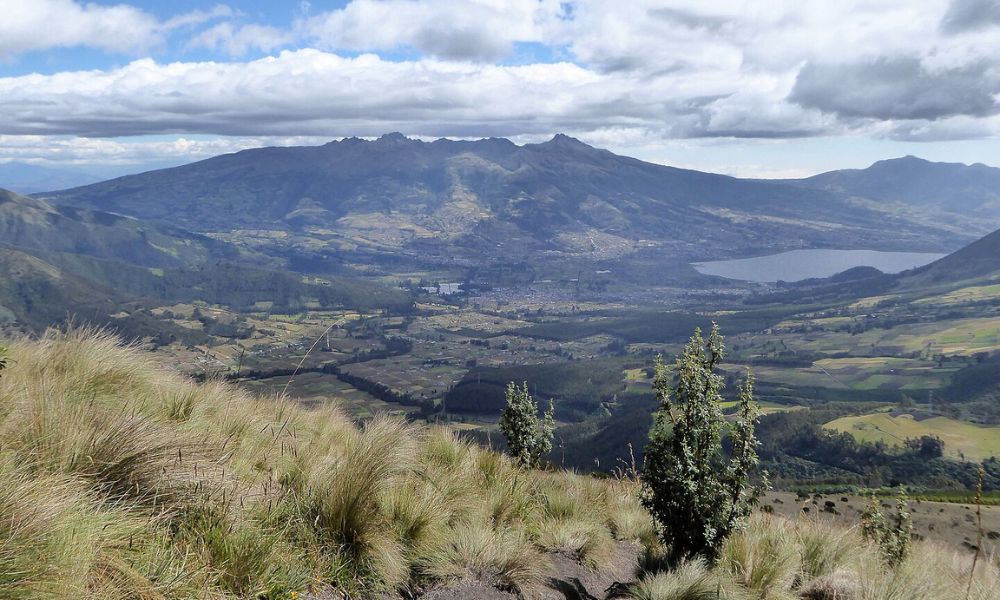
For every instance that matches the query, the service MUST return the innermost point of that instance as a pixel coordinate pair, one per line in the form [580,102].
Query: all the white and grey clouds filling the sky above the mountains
[669,69]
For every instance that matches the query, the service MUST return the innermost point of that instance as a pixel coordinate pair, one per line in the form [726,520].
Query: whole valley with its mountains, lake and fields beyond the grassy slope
[422,289]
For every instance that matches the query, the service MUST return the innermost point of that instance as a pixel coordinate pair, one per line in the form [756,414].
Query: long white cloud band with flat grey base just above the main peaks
[309,92]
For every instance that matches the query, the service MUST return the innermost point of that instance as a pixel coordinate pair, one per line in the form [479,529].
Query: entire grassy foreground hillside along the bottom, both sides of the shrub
[121,480]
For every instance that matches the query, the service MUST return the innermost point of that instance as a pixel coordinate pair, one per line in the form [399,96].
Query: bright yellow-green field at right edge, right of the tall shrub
[961,439]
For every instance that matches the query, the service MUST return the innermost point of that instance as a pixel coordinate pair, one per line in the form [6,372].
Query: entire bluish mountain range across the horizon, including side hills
[236,228]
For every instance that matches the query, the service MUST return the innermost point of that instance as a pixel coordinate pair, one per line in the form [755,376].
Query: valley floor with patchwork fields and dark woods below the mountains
[836,366]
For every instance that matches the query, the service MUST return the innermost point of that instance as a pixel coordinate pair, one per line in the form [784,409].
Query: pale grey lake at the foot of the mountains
[797,265]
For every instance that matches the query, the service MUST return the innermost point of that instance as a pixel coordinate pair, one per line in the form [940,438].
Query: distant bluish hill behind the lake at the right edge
[967,195]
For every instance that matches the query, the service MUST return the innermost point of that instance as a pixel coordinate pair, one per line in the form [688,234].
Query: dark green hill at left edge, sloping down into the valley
[59,261]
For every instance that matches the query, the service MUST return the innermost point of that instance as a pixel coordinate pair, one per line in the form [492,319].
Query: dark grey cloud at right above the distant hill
[899,88]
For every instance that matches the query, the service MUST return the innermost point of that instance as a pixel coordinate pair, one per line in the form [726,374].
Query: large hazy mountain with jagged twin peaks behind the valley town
[452,200]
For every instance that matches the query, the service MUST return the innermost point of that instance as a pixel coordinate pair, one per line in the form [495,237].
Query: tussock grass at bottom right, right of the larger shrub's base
[779,559]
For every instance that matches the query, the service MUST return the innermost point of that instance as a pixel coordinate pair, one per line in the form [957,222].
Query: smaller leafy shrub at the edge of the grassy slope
[529,437]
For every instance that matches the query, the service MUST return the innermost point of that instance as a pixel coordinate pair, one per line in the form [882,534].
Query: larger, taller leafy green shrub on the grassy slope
[696,495]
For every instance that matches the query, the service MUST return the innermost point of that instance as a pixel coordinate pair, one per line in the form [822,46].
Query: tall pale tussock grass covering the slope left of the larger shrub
[120,479]
